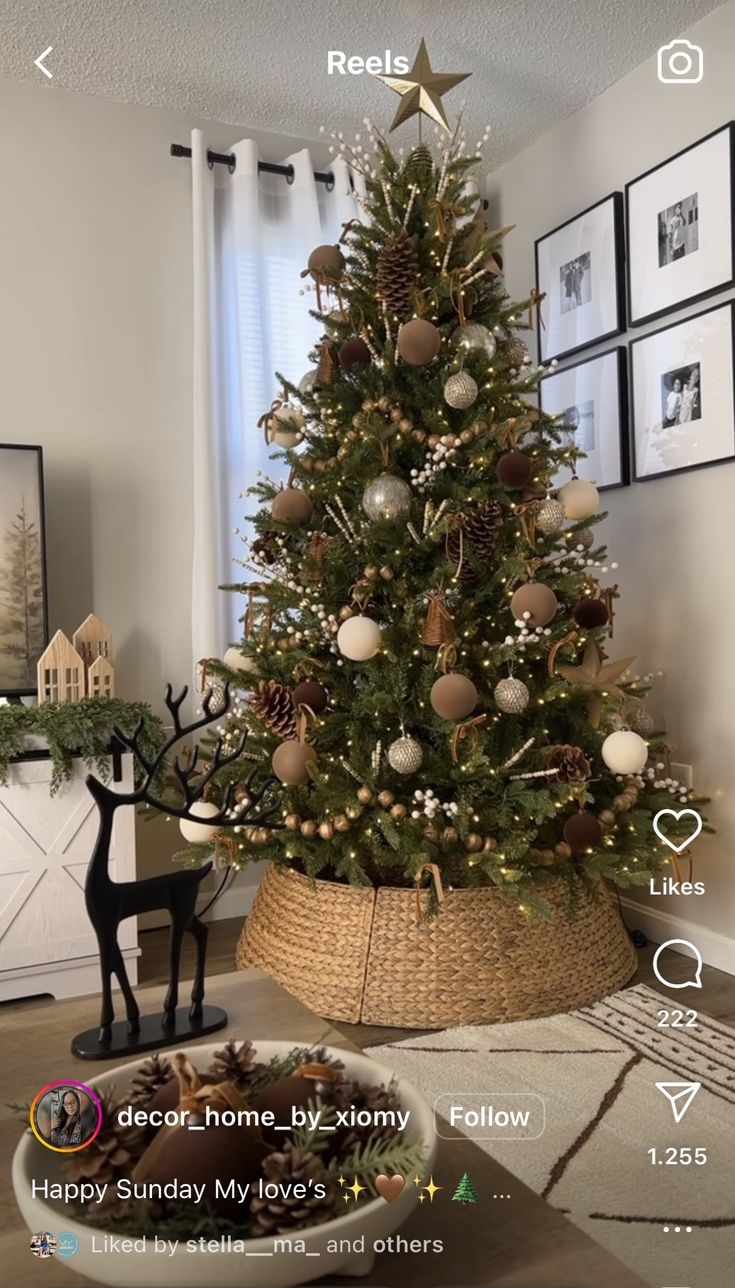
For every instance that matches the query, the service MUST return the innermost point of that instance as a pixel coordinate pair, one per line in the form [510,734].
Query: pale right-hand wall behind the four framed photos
[673,538]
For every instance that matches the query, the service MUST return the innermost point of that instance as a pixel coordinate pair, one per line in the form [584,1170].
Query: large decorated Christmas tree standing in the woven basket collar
[428,661]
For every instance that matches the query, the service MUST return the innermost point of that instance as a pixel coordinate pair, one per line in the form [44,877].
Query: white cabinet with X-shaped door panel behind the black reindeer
[47,942]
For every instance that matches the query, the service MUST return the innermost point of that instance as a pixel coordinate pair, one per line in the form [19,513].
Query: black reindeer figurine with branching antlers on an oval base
[111,902]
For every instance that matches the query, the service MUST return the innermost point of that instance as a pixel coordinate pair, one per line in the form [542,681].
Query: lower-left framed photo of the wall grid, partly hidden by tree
[591,397]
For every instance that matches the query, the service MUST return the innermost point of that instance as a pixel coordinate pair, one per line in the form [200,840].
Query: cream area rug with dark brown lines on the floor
[597,1071]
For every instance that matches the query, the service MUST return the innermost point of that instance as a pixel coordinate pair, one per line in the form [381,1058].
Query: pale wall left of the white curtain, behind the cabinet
[96,334]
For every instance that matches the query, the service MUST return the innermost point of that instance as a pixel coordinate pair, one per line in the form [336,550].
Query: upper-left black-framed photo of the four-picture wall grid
[580,271]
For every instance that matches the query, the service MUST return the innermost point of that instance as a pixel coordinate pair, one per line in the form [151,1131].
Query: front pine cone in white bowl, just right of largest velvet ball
[284,1214]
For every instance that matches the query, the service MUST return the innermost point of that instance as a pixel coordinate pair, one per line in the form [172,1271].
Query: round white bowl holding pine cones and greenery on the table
[362,1222]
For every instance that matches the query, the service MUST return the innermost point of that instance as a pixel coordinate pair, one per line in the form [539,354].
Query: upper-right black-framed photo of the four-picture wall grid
[682,229]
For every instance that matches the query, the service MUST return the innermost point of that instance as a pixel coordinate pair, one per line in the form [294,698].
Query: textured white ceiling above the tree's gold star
[265,64]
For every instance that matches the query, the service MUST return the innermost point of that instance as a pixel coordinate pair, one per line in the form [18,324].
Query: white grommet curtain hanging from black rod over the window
[252,240]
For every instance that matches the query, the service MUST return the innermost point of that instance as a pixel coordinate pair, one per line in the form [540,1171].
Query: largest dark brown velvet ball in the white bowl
[235,1153]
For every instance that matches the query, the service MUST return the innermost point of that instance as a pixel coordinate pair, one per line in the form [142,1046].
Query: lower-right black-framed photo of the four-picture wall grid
[684,395]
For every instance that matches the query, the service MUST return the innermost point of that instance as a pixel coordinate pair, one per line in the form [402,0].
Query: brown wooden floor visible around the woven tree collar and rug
[716,998]
